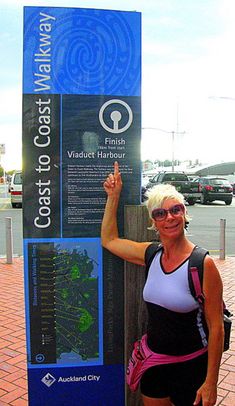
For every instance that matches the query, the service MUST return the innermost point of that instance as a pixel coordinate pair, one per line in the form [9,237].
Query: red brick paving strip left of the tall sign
[13,377]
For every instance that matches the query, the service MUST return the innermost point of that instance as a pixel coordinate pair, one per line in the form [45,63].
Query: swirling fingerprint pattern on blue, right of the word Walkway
[95,52]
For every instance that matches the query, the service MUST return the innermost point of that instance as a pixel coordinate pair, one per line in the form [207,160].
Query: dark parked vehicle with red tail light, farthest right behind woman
[215,188]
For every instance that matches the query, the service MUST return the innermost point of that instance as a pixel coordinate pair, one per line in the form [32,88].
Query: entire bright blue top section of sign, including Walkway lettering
[81,51]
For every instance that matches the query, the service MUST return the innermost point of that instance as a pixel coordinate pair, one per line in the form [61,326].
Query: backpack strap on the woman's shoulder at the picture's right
[195,273]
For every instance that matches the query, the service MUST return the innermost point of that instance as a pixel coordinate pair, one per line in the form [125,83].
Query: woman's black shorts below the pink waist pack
[178,381]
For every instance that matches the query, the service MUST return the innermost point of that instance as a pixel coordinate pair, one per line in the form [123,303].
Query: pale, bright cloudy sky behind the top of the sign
[188,85]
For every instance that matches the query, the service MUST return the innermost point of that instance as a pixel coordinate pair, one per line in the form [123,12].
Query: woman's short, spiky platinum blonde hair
[157,195]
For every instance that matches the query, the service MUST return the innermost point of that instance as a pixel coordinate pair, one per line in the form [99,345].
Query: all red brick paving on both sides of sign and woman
[13,380]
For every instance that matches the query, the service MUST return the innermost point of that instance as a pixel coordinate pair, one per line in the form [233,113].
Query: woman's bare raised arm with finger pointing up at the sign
[128,250]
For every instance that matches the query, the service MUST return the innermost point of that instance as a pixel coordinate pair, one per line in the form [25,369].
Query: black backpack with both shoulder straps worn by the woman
[195,272]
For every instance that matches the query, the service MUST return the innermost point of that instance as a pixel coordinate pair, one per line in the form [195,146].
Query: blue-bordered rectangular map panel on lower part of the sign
[65,279]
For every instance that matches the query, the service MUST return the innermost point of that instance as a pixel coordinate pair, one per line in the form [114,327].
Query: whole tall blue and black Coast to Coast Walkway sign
[81,112]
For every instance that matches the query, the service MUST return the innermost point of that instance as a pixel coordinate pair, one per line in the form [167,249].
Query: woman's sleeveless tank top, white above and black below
[176,324]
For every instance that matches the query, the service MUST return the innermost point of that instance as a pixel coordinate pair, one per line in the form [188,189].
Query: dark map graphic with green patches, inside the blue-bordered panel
[76,305]
